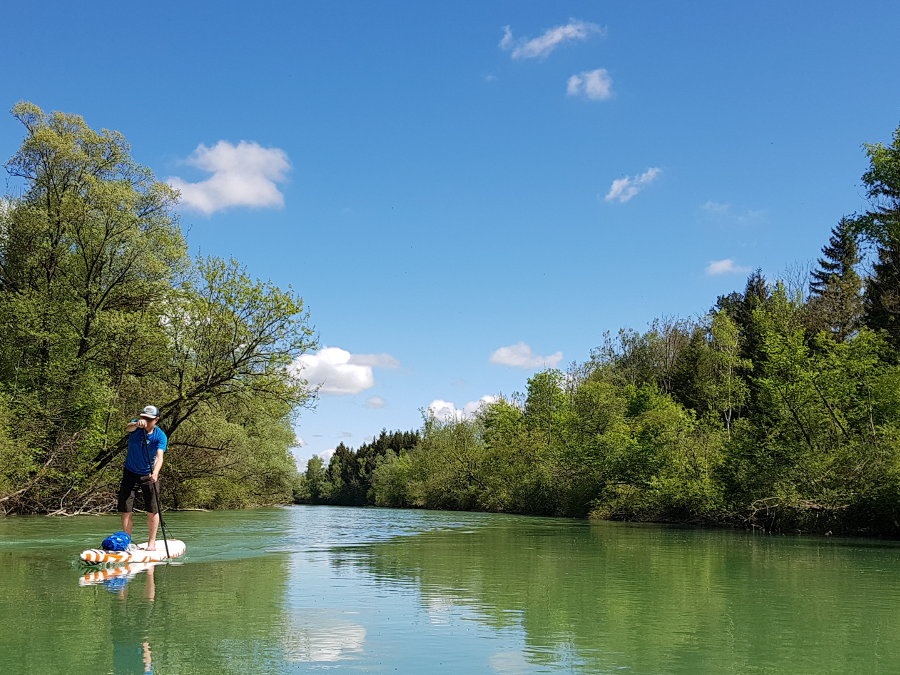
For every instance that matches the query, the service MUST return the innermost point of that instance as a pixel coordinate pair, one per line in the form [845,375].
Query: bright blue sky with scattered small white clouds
[464,192]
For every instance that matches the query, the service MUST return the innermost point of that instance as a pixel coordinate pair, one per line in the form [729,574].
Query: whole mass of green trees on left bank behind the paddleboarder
[102,311]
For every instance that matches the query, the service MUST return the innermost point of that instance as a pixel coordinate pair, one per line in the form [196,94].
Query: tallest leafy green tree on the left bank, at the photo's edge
[88,247]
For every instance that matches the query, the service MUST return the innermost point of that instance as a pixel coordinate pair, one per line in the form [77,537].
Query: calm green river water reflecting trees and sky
[368,590]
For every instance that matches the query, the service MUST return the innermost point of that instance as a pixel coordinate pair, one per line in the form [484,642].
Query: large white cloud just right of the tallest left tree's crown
[245,174]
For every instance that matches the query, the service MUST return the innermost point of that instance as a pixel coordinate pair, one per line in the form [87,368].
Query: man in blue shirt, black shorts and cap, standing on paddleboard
[146,444]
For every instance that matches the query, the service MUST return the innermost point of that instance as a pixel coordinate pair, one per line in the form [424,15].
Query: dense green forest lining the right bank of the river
[777,409]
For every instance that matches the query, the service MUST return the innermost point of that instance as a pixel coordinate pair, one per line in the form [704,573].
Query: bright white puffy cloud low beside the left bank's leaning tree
[337,372]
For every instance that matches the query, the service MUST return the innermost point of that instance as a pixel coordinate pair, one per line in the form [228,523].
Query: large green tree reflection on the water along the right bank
[600,598]
